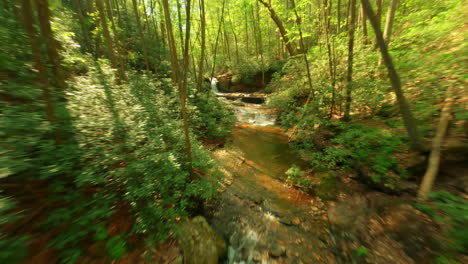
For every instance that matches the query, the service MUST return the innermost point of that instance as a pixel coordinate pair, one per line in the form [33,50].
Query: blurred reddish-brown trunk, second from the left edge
[52,45]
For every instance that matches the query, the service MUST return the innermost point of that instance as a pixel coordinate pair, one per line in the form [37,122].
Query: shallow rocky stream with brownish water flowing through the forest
[263,219]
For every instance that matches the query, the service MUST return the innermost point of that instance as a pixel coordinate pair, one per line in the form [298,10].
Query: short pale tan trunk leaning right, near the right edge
[434,158]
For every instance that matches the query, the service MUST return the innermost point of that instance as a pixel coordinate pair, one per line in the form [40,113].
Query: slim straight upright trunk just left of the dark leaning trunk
[349,76]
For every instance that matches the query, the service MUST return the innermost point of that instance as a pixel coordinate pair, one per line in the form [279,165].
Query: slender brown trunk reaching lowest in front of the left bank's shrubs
[179,82]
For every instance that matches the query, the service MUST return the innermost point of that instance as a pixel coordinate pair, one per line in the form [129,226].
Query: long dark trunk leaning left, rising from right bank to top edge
[408,119]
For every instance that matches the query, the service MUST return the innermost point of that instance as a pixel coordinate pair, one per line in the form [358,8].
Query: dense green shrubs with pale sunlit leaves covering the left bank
[122,145]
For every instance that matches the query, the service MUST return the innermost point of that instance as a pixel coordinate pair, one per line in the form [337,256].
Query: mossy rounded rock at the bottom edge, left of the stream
[200,243]
